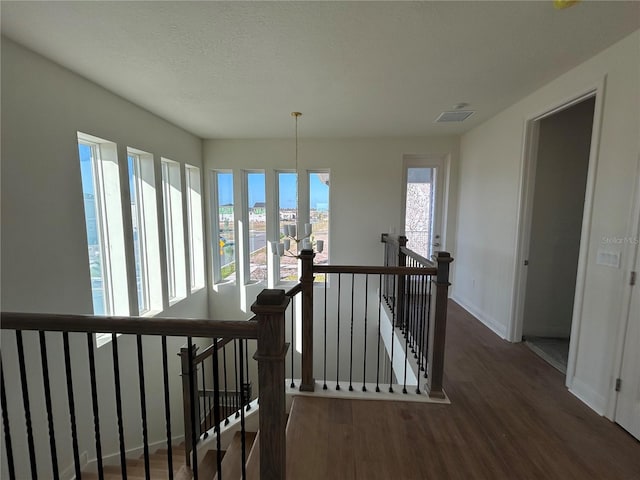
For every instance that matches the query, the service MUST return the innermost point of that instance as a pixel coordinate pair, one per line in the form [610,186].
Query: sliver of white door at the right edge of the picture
[628,404]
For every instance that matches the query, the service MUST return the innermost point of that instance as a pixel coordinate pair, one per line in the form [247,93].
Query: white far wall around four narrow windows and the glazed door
[365,193]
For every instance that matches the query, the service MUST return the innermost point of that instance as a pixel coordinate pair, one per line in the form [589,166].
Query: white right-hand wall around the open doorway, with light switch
[490,166]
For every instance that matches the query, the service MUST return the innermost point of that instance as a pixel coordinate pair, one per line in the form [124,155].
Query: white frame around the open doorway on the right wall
[525,209]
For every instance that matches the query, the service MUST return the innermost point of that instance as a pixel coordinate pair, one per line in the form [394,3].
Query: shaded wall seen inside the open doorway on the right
[556,224]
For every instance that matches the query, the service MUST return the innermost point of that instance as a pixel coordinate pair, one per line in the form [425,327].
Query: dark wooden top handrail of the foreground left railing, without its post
[173,327]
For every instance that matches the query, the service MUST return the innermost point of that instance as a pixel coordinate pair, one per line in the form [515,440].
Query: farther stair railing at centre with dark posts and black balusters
[414,293]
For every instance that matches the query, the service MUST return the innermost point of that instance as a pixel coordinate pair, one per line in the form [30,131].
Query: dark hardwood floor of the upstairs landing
[510,417]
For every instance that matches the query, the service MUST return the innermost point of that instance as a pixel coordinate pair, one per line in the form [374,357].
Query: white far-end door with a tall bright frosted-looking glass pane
[423,204]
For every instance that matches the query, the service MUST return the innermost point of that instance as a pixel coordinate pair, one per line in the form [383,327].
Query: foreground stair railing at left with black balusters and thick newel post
[74,346]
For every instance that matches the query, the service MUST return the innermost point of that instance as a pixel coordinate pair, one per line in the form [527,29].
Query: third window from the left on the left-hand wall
[174,231]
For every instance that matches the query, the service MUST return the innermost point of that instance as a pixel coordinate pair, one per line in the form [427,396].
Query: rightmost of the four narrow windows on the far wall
[319,214]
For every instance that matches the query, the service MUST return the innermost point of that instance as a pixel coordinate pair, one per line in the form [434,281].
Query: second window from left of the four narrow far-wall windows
[256,236]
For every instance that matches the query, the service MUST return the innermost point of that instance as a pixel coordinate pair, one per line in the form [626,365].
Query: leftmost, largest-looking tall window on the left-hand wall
[103,218]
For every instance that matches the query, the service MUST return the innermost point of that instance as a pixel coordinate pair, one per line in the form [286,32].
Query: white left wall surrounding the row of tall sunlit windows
[44,246]
